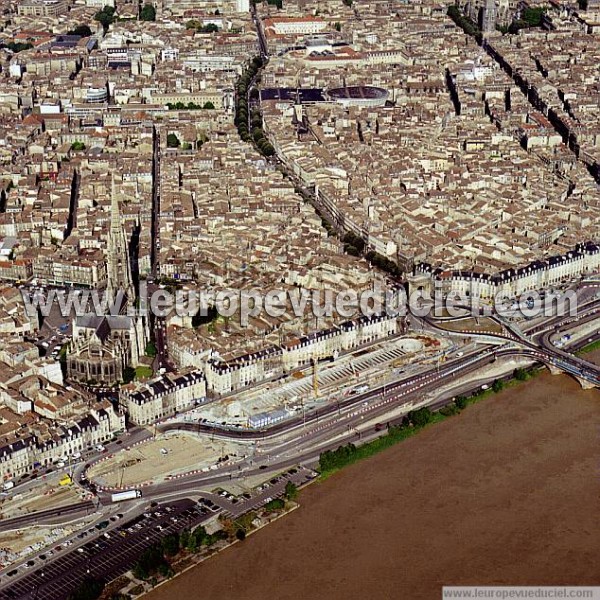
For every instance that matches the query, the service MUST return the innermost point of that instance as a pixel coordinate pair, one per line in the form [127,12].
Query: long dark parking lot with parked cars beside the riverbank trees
[112,547]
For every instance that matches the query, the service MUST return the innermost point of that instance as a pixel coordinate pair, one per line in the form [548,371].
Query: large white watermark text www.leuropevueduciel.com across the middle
[242,305]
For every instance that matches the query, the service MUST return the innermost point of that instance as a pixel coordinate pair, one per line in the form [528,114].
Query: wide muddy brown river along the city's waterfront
[506,493]
